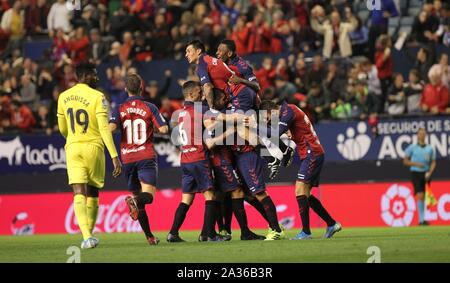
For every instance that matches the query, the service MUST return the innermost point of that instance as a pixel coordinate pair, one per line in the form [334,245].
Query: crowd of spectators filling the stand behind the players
[351,74]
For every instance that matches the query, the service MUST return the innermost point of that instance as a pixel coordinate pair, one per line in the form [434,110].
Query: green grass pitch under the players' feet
[414,244]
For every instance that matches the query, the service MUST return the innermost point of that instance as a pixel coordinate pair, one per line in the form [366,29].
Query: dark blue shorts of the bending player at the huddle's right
[310,168]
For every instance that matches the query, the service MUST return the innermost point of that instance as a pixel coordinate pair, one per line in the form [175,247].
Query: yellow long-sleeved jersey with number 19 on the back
[83,117]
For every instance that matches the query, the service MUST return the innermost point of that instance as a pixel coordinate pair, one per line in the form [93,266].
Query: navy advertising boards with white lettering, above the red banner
[343,142]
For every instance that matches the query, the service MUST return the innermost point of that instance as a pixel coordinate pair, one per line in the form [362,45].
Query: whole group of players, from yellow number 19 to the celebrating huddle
[219,112]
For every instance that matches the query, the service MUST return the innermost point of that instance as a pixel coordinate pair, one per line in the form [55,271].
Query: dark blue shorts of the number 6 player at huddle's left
[196,177]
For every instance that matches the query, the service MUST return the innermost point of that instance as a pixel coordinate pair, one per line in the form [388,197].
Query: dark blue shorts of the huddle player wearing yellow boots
[250,168]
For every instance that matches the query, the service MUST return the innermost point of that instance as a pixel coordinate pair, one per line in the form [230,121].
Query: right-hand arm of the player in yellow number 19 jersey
[101,112]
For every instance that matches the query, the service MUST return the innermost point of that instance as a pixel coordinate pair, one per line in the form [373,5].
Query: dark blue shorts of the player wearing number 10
[145,171]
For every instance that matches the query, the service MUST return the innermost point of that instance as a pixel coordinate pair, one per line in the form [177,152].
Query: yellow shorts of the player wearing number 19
[85,164]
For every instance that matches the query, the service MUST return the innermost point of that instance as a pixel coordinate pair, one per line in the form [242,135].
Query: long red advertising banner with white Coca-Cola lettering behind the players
[382,204]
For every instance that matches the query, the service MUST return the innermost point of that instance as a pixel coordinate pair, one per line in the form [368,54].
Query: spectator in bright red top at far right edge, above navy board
[435,96]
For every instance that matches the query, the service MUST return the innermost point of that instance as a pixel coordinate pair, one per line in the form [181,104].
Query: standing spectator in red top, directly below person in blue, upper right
[385,66]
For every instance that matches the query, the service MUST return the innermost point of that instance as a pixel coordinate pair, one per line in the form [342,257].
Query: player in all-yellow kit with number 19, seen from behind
[83,121]
